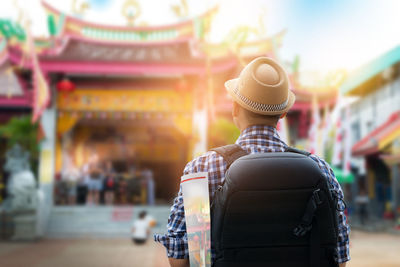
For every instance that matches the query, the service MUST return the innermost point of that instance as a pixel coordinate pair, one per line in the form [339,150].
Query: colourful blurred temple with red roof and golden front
[136,96]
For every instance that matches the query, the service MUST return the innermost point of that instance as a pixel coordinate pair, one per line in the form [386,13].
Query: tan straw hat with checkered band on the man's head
[262,87]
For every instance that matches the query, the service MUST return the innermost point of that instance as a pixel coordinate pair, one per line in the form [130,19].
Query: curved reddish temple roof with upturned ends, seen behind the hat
[80,47]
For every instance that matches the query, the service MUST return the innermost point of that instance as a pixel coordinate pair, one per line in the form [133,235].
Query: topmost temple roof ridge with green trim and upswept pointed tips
[68,25]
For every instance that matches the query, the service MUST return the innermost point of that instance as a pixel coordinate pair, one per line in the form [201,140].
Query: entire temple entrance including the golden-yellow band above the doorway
[140,137]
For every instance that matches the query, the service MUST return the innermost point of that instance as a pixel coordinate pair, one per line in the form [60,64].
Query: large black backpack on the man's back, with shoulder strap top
[274,209]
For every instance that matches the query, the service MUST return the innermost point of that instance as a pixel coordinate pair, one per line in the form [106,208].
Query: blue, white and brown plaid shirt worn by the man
[254,139]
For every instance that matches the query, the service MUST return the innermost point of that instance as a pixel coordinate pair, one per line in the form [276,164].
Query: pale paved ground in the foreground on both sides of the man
[367,249]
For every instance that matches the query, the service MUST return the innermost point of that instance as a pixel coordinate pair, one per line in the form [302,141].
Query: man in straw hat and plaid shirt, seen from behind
[261,97]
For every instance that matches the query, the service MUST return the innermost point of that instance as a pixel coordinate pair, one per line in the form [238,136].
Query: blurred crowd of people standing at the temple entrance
[98,183]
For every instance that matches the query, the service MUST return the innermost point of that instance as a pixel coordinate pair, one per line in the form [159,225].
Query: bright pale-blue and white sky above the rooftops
[326,34]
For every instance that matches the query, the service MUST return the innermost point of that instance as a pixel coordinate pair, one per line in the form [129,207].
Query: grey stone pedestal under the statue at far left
[24,226]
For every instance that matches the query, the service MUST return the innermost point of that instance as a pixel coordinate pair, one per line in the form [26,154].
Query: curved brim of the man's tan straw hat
[231,85]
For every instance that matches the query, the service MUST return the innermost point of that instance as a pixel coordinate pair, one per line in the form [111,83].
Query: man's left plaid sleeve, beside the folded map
[175,240]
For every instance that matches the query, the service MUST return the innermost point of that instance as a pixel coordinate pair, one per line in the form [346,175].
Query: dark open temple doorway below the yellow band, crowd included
[147,157]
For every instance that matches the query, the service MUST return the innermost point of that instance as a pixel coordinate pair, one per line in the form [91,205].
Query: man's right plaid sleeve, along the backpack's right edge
[343,247]
